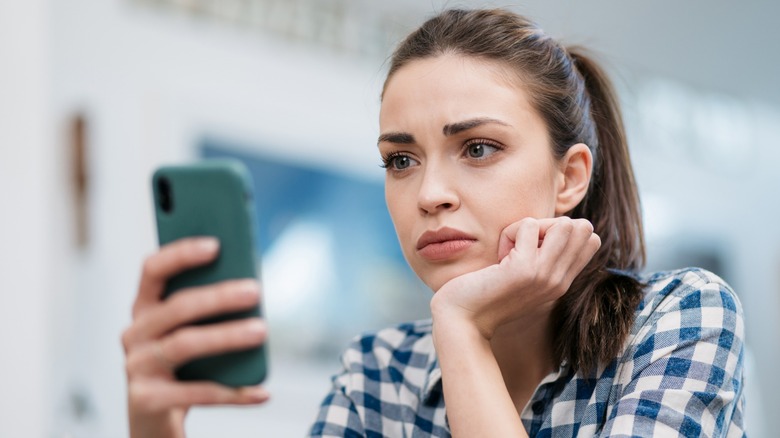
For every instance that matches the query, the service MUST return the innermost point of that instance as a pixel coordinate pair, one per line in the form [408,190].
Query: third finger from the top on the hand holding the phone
[193,342]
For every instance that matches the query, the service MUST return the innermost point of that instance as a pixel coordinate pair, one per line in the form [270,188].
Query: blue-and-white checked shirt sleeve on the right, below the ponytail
[685,373]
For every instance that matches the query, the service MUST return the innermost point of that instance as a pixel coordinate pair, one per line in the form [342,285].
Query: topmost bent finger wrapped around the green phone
[171,259]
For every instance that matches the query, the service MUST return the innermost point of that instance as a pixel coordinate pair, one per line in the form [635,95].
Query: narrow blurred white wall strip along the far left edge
[27,271]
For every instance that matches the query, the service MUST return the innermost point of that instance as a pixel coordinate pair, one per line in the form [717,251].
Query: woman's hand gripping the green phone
[162,337]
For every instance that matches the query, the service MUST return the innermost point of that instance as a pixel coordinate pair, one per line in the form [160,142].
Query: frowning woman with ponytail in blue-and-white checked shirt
[512,194]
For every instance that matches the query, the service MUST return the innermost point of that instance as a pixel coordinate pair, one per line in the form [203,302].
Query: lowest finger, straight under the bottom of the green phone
[155,395]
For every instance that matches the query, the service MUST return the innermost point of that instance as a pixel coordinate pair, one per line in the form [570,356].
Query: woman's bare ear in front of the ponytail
[574,178]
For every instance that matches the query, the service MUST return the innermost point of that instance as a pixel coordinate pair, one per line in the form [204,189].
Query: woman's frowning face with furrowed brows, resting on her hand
[466,156]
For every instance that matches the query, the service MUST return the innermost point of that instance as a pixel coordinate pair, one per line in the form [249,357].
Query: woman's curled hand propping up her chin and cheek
[538,261]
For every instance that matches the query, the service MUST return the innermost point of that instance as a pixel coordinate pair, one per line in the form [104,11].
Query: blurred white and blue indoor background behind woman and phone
[94,94]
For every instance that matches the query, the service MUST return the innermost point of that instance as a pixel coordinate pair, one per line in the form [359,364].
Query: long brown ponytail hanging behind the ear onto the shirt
[596,316]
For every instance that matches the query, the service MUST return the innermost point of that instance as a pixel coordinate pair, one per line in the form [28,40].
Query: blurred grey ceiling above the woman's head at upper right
[713,45]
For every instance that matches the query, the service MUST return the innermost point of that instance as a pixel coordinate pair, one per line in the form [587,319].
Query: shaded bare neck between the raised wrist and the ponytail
[523,350]
